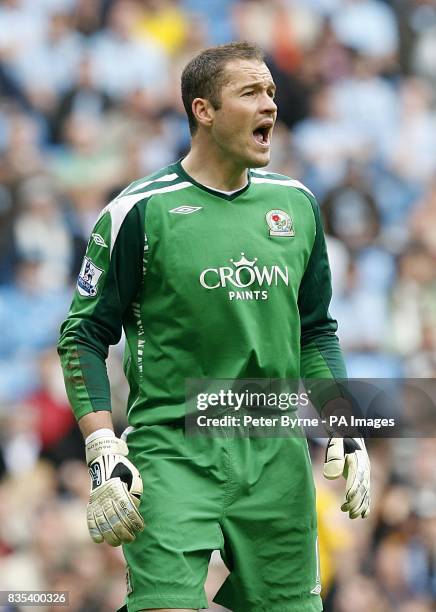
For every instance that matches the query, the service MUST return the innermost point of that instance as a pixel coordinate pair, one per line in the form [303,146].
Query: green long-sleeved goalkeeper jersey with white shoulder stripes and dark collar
[205,285]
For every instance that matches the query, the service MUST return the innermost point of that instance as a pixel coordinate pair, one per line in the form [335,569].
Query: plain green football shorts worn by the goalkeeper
[251,498]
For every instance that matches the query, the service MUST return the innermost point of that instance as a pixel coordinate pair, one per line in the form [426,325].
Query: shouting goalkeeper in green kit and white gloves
[214,271]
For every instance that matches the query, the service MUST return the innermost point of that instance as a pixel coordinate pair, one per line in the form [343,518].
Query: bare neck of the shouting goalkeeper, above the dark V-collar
[209,167]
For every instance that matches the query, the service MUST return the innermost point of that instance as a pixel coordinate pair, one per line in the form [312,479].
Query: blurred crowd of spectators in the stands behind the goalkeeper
[89,100]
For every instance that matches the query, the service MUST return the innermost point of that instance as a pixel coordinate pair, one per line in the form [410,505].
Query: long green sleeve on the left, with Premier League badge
[108,281]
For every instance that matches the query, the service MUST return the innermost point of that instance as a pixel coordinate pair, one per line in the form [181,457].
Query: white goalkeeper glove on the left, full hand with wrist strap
[116,489]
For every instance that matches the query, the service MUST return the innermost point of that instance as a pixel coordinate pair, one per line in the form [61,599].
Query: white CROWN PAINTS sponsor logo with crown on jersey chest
[243,275]
